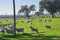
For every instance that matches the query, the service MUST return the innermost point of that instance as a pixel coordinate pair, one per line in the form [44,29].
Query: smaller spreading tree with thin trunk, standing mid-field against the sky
[25,9]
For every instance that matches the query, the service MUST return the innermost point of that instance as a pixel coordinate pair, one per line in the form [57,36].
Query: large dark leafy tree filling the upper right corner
[51,6]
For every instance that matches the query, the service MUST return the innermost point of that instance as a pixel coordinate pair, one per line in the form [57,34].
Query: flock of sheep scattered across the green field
[11,28]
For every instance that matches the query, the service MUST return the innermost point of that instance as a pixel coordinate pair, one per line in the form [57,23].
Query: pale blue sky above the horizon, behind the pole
[6,6]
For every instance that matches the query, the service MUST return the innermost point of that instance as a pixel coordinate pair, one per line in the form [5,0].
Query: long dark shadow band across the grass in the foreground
[27,36]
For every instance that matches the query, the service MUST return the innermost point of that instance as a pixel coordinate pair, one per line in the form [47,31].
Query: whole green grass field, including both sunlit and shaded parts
[44,33]
